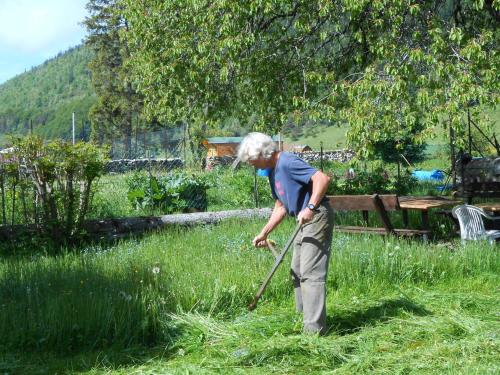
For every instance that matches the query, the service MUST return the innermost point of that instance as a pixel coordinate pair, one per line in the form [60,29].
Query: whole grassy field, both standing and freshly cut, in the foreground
[175,303]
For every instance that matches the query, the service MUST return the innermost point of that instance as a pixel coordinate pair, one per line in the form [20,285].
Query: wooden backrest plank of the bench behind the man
[362,202]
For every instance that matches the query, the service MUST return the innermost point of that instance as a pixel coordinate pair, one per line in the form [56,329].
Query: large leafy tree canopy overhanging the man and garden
[377,64]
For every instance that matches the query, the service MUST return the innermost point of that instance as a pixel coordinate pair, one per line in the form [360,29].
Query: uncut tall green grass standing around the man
[126,294]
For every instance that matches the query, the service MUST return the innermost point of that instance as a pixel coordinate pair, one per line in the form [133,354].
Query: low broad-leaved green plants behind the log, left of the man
[172,192]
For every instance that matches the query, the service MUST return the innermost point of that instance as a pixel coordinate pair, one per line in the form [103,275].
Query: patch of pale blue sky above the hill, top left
[32,31]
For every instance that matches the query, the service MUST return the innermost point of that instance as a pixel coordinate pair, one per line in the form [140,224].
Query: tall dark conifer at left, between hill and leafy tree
[118,100]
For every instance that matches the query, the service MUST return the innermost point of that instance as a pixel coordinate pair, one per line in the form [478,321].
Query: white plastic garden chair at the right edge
[471,223]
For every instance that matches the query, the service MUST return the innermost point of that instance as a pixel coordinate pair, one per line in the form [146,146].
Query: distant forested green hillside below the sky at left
[47,95]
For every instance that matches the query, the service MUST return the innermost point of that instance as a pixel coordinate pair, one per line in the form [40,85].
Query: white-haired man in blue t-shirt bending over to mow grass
[299,190]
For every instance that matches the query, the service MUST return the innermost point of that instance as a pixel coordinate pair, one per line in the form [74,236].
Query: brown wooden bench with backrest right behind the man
[381,204]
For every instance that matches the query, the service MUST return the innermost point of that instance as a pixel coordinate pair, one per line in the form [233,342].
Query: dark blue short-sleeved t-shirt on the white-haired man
[290,182]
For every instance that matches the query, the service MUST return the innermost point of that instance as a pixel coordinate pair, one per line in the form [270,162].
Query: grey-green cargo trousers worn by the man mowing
[309,269]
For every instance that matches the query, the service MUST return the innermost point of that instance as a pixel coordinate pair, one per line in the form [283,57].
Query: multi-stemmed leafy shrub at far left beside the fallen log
[61,176]
